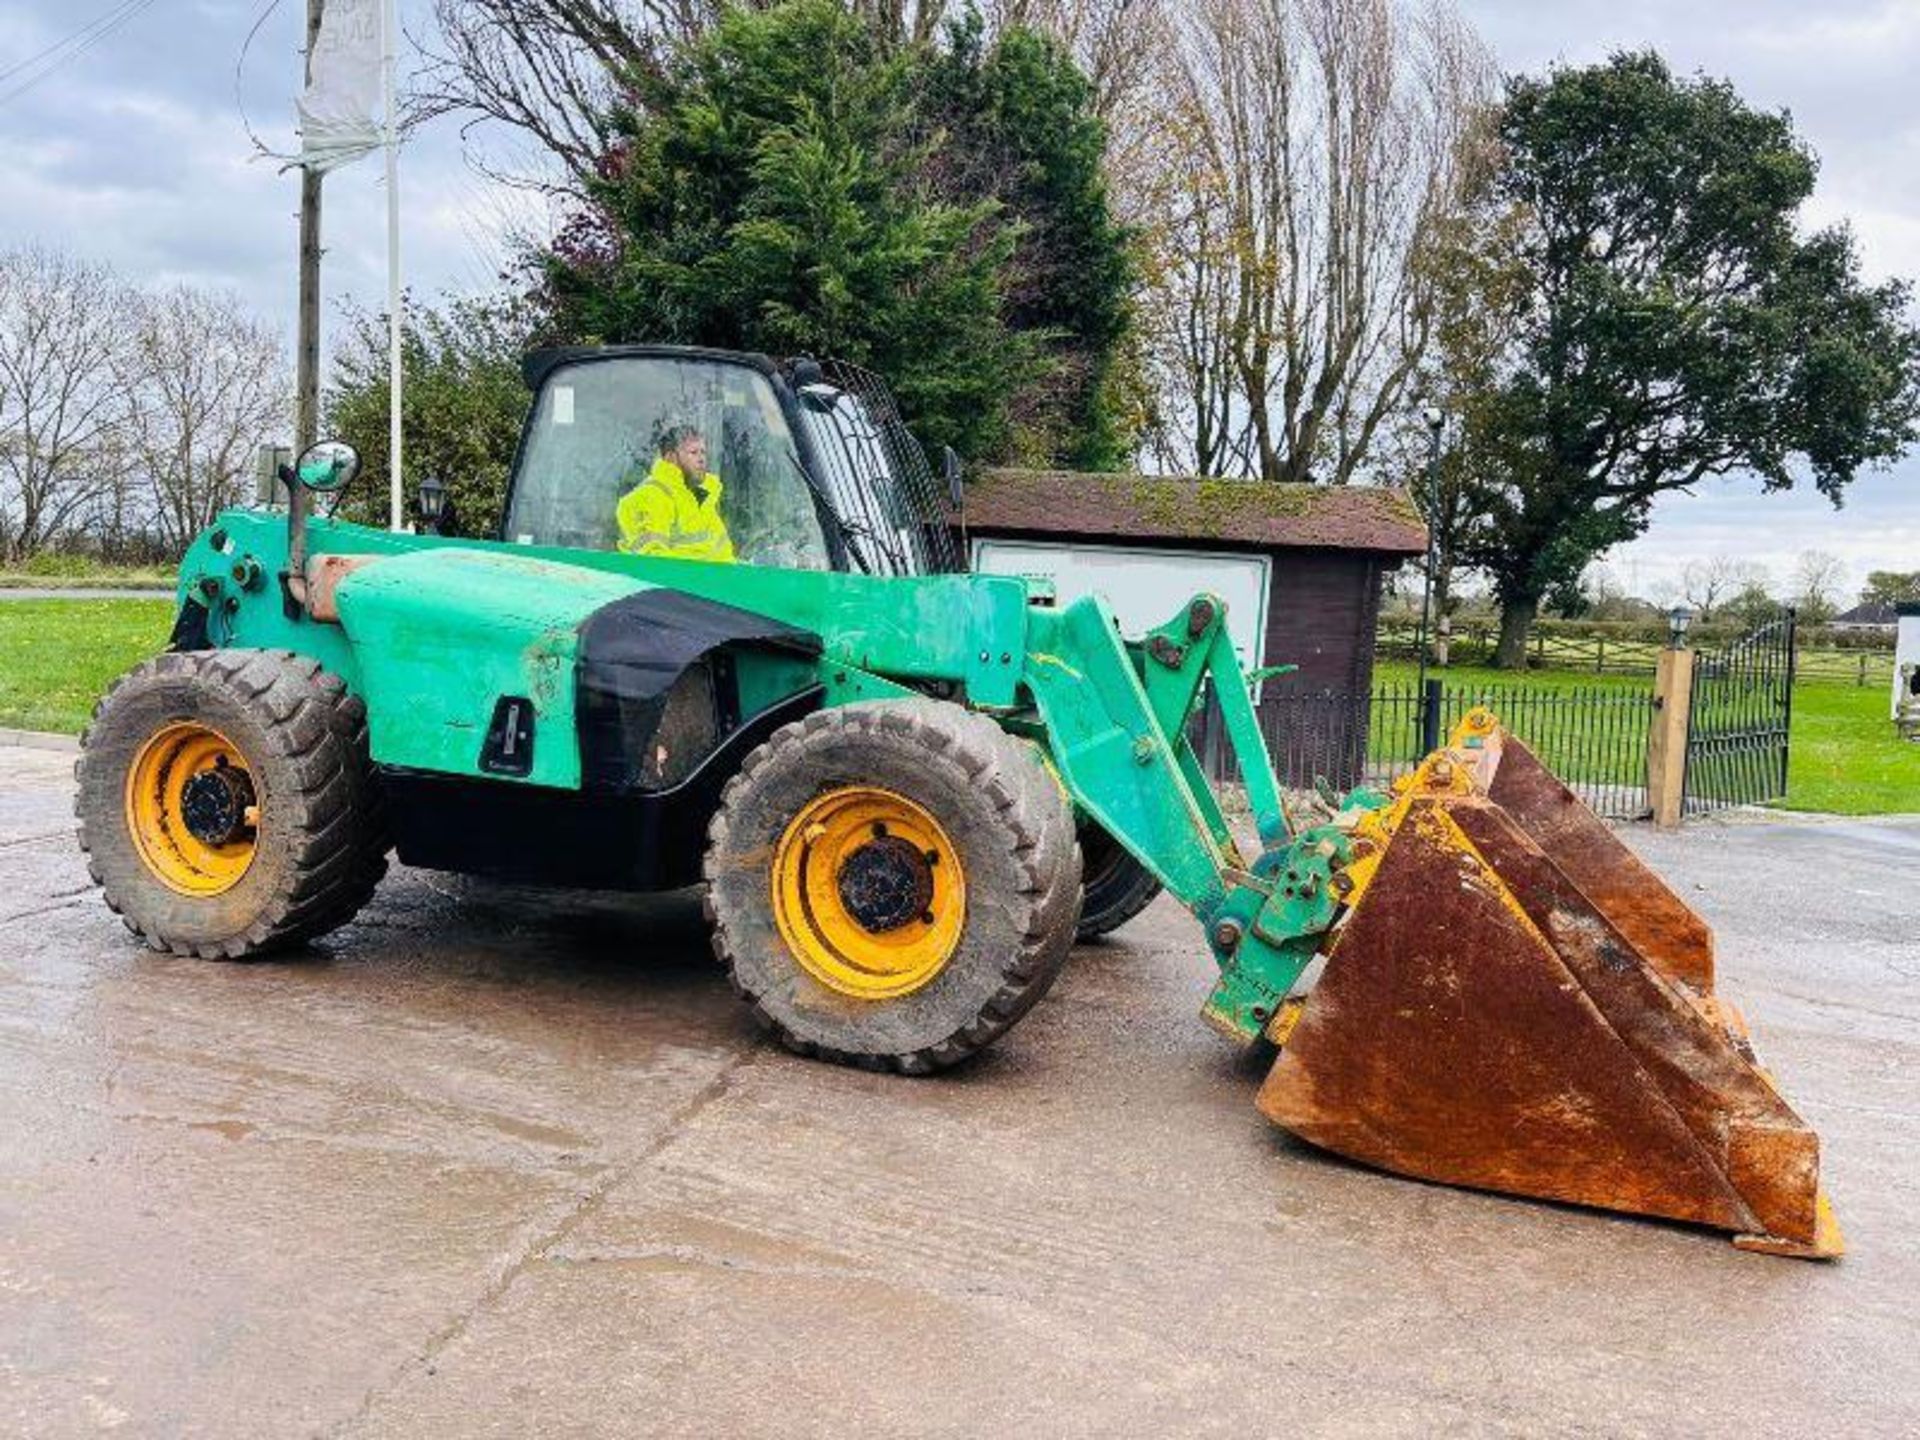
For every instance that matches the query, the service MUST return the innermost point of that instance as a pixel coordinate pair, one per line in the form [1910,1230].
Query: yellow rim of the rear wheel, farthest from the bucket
[193,811]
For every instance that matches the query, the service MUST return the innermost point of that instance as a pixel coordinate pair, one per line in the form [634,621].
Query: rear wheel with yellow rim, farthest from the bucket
[316,848]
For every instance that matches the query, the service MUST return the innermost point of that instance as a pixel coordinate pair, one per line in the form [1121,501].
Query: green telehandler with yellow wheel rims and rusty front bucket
[890,777]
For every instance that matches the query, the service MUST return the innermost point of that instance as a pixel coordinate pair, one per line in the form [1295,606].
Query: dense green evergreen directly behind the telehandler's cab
[798,187]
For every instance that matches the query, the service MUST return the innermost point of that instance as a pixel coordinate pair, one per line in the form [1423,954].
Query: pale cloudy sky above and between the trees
[133,153]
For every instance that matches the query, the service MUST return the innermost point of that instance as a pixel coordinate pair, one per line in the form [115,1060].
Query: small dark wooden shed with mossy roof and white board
[1301,571]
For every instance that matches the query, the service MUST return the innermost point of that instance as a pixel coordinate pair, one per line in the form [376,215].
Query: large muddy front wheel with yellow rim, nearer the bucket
[1011,836]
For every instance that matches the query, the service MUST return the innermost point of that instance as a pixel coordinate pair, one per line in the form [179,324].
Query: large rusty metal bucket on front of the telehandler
[1516,1003]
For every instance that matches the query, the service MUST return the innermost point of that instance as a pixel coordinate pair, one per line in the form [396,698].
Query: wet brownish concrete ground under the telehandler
[500,1168]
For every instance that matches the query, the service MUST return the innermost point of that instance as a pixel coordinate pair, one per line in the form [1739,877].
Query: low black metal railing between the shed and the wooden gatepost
[1593,738]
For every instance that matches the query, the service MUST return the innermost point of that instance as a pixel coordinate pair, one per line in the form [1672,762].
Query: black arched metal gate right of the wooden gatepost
[1737,736]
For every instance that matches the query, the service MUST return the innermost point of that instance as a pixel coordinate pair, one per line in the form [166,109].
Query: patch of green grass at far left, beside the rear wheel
[59,656]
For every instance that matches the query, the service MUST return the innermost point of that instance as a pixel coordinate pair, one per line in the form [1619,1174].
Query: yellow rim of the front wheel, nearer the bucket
[869,894]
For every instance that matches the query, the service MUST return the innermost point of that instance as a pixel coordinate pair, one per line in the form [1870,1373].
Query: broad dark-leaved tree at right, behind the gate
[1677,325]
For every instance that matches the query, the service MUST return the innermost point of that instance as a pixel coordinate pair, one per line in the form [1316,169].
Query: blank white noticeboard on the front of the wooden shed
[1145,587]
